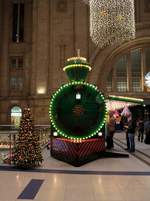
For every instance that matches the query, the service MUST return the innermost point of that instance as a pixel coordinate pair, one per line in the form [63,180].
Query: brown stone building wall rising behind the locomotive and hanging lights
[54,30]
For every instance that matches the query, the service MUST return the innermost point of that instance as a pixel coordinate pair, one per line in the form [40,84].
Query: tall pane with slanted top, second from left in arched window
[121,74]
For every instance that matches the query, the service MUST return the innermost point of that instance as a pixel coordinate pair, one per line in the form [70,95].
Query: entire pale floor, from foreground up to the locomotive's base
[76,186]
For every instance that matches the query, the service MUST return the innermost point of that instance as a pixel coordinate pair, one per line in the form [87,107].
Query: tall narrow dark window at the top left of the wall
[18,21]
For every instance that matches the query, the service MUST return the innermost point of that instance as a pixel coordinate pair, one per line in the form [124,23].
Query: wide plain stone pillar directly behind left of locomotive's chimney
[61,39]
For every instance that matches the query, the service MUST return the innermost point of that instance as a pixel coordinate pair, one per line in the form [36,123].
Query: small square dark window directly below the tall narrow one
[16,62]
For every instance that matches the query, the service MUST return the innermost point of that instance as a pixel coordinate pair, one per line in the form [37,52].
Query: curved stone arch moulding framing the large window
[103,60]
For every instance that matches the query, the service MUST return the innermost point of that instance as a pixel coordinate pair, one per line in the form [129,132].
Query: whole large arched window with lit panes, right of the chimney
[129,71]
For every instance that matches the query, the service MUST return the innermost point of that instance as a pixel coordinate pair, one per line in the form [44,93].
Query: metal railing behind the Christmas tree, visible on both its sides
[8,137]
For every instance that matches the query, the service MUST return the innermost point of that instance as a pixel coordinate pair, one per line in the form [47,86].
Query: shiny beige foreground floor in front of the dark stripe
[60,187]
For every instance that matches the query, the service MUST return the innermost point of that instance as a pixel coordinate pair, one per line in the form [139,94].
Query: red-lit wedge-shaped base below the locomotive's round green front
[77,153]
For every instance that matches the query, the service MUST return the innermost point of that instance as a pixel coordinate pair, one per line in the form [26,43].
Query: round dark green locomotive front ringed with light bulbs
[77,110]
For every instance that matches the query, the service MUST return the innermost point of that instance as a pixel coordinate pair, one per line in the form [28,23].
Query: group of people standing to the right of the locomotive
[132,127]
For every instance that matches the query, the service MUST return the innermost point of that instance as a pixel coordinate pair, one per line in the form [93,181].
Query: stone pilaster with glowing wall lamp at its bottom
[40,41]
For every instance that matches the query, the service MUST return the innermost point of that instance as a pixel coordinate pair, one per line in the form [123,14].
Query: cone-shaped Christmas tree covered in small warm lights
[27,151]
